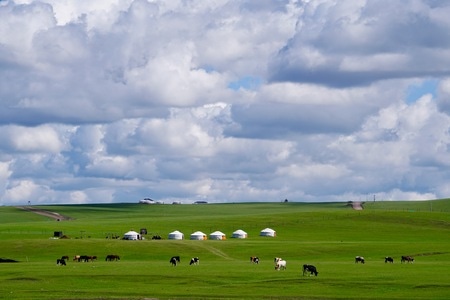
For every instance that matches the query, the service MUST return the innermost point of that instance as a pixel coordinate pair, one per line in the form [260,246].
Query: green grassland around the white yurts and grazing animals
[327,235]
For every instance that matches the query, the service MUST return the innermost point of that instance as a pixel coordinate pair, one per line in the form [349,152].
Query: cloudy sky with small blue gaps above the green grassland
[113,101]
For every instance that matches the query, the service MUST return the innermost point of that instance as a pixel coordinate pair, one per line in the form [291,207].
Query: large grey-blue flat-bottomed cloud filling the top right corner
[344,44]
